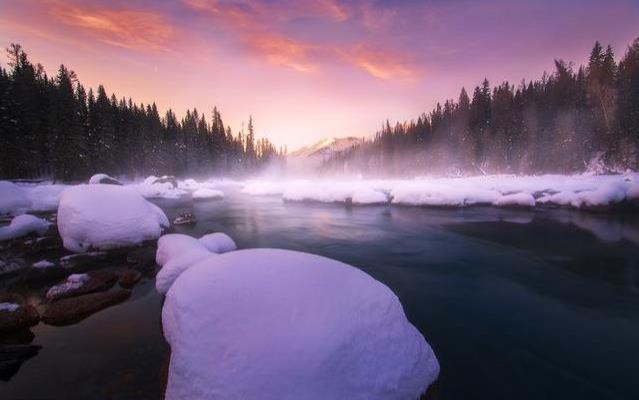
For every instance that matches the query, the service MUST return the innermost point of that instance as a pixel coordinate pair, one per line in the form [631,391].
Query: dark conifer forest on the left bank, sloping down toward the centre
[53,127]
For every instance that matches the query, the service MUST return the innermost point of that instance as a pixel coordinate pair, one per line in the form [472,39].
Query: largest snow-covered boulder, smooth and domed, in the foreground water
[276,324]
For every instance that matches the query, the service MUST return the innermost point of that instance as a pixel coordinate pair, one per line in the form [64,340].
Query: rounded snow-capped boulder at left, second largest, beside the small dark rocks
[107,216]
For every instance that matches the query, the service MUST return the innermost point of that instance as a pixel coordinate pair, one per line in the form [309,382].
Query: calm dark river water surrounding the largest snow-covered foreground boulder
[516,304]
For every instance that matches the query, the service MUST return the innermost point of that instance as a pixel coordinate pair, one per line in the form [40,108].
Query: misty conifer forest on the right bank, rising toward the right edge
[569,121]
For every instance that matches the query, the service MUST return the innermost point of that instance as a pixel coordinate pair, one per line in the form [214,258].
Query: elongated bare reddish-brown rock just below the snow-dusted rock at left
[74,309]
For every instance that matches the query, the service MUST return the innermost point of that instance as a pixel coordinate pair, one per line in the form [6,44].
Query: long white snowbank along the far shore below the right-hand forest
[576,191]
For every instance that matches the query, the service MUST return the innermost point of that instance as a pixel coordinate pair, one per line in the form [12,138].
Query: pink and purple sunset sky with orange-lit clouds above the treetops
[306,70]
